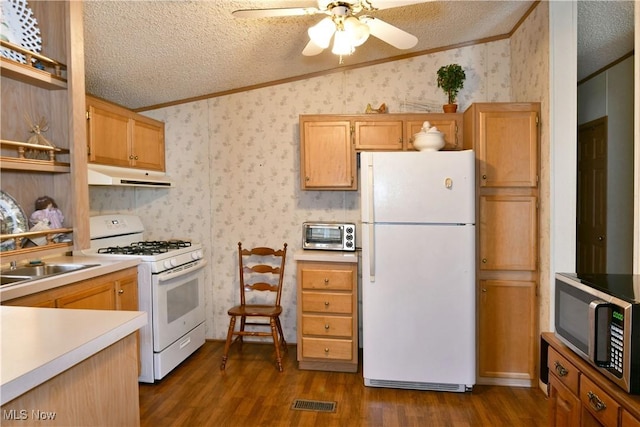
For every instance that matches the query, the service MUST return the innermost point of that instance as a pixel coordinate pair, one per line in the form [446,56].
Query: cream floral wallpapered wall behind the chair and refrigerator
[235,160]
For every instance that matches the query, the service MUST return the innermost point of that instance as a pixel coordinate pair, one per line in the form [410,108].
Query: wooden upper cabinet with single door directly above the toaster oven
[327,156]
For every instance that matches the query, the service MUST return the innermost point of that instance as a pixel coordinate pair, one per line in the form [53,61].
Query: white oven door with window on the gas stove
[178,303]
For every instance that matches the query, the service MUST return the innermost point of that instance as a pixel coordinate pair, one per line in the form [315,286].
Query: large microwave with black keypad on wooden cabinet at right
[598,316]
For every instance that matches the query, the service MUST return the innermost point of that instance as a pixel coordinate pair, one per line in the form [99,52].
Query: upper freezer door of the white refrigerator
[418,187]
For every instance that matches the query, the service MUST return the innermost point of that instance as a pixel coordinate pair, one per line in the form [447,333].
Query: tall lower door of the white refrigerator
[419,313]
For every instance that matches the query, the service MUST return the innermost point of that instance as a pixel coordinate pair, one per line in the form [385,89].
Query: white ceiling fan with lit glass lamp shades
[342,24]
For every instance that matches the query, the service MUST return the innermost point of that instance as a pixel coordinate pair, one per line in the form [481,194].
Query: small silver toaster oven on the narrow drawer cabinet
[329,236]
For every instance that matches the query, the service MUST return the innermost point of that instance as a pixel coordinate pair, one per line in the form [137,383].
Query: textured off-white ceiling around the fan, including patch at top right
[145,53]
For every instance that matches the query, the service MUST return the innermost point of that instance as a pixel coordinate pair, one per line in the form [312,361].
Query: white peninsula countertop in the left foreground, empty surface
[40,343]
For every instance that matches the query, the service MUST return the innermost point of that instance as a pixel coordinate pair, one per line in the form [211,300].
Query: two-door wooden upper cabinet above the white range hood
[120,137]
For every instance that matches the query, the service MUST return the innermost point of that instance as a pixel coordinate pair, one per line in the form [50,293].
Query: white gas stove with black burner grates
[170,288]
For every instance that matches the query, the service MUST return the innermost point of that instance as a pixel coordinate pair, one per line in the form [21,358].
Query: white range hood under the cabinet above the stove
[115,176]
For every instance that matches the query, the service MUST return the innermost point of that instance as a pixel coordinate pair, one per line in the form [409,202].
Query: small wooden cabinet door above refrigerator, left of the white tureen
[378,135]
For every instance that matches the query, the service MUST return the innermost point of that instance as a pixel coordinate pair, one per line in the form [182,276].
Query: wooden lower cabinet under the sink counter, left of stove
[115,291]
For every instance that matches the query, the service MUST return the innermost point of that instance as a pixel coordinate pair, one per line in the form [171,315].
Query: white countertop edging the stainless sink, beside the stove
[106,265]
